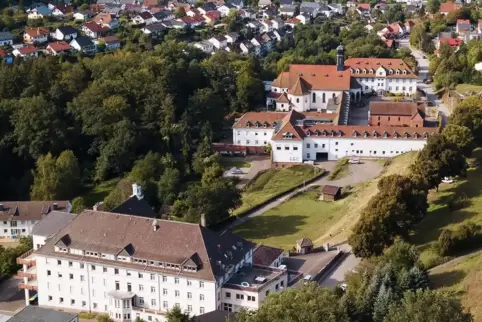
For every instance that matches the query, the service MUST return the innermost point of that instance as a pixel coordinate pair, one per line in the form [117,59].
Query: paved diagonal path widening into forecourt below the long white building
[357,173]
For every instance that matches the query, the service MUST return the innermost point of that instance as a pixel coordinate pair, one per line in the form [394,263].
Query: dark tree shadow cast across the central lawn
[261,227]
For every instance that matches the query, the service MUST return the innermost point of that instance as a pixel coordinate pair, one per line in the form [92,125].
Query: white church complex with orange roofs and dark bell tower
[317,87]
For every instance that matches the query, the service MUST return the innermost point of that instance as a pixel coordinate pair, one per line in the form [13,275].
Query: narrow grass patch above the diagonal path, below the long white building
[273,182]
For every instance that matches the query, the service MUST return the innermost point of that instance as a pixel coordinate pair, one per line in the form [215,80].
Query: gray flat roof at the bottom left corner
[37,314]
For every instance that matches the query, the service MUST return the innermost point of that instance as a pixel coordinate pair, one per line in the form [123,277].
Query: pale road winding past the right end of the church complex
[423,64]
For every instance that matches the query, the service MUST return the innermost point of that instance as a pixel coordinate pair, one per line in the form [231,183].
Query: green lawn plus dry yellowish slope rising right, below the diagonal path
[305,216]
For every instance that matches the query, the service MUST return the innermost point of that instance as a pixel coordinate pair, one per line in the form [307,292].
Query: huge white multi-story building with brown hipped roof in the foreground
[129,266]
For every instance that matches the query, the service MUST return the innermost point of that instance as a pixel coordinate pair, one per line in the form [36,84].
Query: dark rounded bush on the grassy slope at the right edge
[466,237]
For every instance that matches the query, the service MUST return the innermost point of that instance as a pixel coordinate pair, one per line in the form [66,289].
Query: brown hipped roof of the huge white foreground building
[172,242]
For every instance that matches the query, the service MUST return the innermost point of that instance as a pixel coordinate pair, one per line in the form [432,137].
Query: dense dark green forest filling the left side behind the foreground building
[70,123]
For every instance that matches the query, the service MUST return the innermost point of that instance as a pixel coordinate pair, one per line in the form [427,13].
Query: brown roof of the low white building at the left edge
[30,210]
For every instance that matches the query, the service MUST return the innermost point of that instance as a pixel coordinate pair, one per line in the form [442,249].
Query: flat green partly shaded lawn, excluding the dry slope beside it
[302,216]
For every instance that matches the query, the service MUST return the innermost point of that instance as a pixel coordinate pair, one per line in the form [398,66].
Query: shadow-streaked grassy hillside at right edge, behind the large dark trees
[440,216]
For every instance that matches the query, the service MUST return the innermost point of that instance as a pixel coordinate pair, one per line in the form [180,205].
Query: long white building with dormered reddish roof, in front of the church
[298,137]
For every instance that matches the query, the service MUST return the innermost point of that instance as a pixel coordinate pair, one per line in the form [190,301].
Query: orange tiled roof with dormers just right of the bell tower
[375,63]
